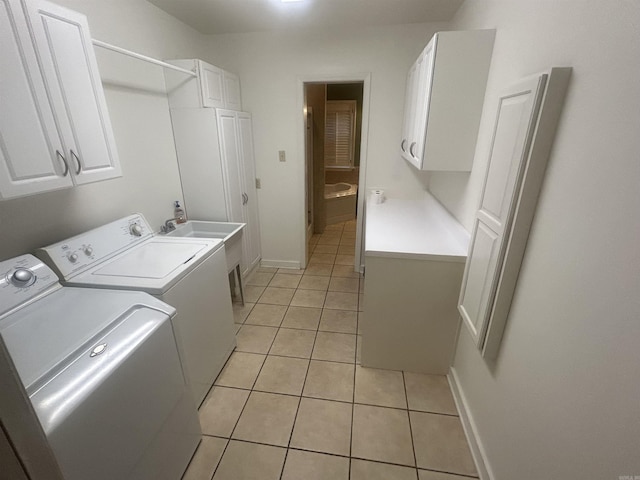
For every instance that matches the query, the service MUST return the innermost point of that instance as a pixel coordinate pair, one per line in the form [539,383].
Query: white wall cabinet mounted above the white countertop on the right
[443,100]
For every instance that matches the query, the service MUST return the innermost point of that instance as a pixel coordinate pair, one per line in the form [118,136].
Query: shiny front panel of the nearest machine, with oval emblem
[104,410]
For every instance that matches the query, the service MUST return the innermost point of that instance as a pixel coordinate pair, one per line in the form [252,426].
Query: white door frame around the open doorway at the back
[356,77]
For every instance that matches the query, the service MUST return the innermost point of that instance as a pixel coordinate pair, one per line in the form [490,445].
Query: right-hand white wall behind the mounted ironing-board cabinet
[562,400]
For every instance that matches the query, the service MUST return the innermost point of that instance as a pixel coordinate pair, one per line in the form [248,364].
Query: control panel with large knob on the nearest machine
[21,279]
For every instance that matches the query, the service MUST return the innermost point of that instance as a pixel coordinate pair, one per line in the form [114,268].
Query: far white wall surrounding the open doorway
[270,66]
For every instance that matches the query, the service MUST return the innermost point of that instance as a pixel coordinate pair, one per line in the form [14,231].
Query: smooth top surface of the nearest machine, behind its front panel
[41,336]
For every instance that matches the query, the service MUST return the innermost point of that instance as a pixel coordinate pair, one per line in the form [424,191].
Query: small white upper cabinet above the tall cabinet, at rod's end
[213,87]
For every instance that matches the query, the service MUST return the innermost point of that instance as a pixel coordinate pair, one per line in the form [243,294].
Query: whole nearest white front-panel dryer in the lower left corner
[78,368]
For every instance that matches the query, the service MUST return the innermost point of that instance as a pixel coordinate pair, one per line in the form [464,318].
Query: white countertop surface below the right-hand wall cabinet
[419,228]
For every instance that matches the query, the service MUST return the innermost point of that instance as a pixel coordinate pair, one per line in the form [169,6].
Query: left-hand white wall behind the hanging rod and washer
[140,117]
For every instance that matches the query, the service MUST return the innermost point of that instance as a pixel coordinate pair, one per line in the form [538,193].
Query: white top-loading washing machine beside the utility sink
[187,273]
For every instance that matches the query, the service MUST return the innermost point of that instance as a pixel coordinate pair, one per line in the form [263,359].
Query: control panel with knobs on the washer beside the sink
[76,254]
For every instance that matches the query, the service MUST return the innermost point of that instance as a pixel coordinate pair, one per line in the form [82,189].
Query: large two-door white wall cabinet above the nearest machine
[54,130]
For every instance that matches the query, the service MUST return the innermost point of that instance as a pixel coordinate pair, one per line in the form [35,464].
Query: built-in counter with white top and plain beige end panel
[415,252]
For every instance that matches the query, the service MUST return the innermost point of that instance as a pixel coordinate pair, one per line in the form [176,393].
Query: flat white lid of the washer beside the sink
[153,260]
